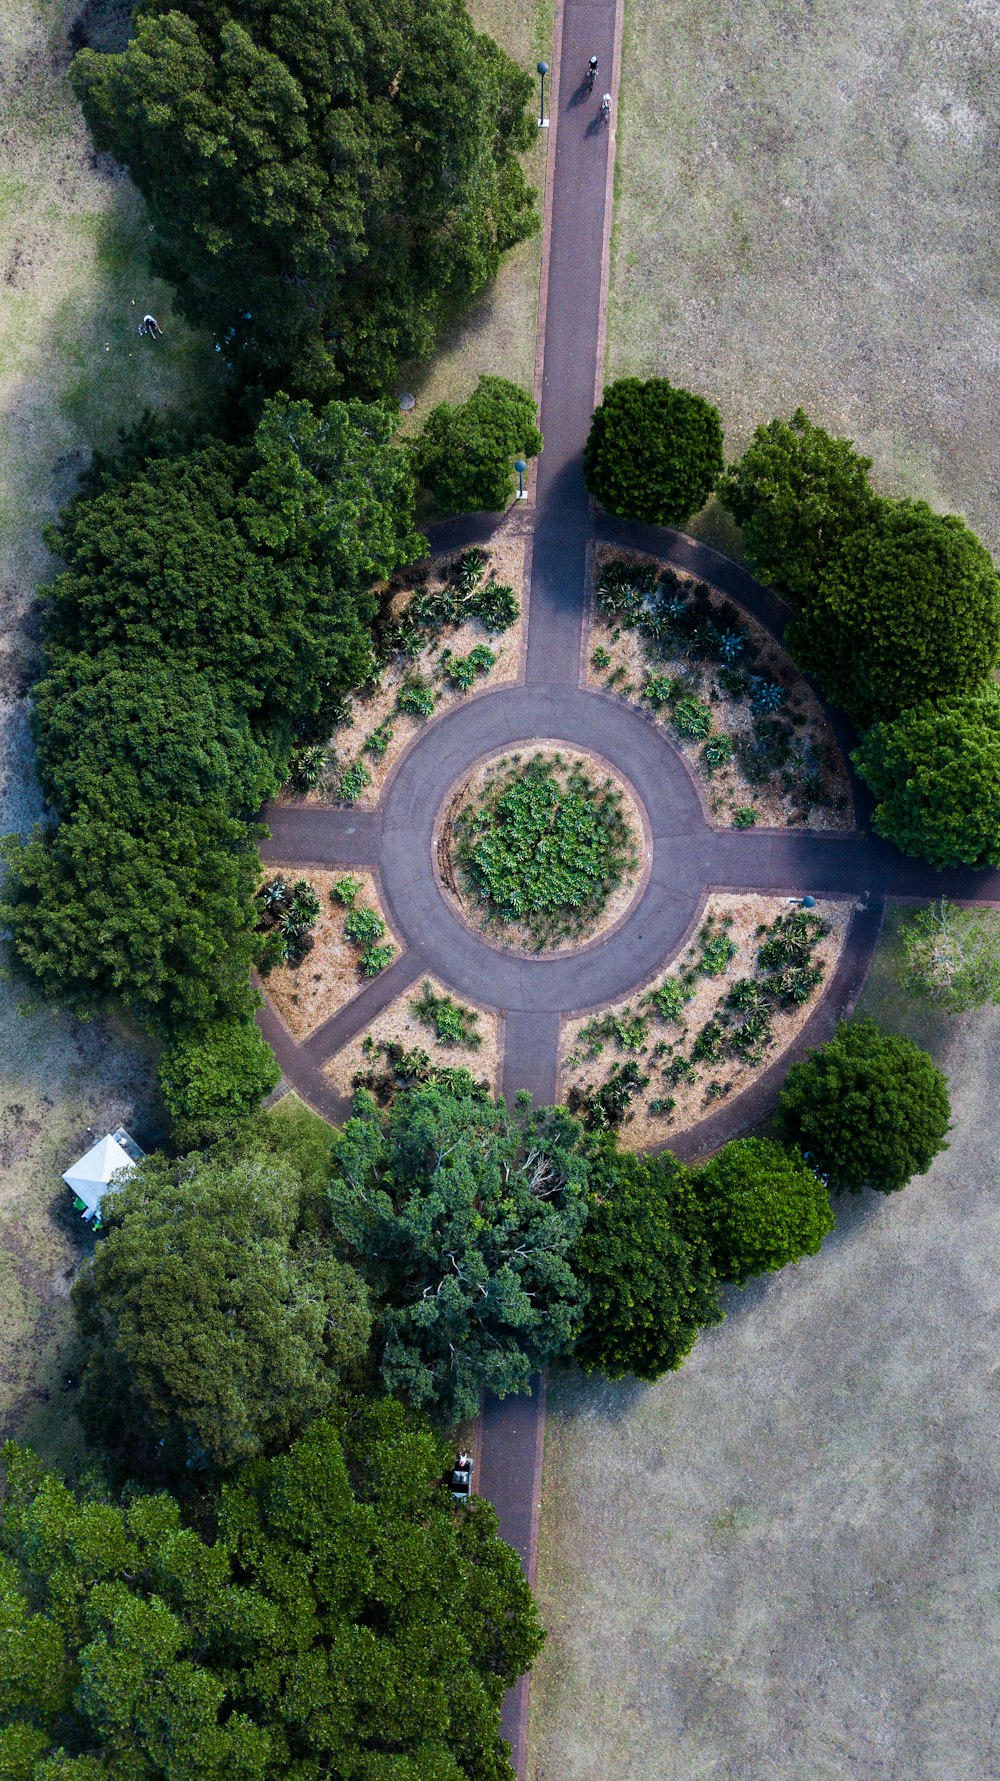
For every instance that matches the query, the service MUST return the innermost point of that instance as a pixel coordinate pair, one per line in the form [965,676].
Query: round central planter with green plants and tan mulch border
[543,849]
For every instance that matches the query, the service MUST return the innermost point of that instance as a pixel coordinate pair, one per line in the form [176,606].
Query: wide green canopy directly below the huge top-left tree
[245,567]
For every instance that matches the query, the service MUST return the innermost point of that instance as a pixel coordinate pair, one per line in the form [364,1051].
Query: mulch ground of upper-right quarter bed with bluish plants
[725,790]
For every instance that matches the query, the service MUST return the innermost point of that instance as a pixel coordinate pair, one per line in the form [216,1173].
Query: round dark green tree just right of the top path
[653,453]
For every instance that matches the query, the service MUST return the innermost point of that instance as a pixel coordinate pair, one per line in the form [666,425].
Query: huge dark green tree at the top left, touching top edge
[325,179]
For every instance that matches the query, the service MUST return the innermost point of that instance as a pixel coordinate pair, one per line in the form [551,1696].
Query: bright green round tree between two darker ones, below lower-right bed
[764,1208]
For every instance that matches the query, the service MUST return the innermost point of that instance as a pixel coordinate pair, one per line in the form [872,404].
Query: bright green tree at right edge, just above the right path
[937,777]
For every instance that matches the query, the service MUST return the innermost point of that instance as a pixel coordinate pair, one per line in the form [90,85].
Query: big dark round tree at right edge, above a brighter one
[906,612]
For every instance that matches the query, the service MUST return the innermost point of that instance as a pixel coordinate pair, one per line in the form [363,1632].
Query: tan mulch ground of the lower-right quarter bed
[669,1043]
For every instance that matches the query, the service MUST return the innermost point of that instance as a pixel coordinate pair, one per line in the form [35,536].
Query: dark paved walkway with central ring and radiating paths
[689,856]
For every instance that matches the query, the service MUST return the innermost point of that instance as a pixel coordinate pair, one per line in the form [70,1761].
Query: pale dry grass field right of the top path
[807,213]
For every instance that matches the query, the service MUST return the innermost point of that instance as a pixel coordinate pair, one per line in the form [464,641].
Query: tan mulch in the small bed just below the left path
[331,972]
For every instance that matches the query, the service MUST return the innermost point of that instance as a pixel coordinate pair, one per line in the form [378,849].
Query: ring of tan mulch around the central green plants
[516,936]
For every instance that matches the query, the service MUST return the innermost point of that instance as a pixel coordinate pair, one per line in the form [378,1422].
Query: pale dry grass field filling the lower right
[780,1565]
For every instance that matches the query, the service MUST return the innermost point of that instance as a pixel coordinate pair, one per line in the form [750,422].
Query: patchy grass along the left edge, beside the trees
[74,284]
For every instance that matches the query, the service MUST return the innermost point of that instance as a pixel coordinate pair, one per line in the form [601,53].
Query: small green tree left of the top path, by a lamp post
[466,453]
